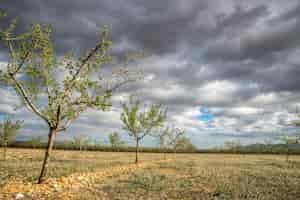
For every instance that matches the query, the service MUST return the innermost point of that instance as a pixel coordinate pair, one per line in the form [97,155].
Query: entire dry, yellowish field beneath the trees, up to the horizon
[99,175]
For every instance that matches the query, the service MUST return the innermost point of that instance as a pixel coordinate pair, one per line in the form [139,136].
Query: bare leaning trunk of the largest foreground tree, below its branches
[51,139]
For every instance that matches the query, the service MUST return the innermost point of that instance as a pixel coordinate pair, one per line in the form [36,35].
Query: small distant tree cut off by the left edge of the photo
[8,132]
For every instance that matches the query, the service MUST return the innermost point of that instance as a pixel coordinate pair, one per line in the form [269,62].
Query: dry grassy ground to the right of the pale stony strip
[207,176]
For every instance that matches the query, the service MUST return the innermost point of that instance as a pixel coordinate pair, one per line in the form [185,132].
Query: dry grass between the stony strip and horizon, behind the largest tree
[24,164]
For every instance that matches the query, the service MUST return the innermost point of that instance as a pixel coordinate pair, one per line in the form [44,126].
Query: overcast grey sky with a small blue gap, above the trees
[226,70]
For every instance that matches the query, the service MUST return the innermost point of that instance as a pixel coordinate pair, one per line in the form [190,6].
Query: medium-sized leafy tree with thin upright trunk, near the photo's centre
[140,122]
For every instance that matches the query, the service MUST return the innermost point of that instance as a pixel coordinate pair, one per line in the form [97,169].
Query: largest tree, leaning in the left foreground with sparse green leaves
[55,88]
